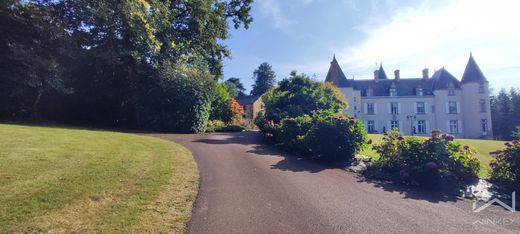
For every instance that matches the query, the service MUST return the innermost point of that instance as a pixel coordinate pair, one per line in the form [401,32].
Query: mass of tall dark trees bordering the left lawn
[141,64]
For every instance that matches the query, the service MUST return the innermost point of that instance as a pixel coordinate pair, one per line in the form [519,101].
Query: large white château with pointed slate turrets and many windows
[415,106]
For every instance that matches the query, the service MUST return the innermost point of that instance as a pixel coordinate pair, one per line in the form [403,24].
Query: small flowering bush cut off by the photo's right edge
[506,165]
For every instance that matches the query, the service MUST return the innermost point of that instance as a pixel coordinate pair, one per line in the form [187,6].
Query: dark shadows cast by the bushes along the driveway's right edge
[256,147]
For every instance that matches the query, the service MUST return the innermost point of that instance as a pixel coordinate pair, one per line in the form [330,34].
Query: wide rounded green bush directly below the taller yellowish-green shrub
[322,136]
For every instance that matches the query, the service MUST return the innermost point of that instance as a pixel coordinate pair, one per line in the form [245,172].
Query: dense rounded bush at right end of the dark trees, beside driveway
[178,100]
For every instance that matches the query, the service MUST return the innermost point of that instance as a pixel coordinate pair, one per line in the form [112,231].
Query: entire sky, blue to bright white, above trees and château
[402,34]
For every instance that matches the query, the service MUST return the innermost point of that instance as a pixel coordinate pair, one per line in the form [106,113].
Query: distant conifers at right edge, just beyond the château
[505,113]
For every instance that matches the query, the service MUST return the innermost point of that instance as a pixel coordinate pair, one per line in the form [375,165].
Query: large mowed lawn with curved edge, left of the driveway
[84,181]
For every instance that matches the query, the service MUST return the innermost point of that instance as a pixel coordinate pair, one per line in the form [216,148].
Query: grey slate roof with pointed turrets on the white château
[441,79]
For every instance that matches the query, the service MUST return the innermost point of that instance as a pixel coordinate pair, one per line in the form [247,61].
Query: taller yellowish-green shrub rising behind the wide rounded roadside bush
[299,95]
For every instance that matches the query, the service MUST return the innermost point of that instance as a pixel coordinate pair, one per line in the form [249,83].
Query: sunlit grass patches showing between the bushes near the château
[483,147]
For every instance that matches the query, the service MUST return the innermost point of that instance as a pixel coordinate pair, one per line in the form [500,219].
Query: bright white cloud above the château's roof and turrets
[419,36]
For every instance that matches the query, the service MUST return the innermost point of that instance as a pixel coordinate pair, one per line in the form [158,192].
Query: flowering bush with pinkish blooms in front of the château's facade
[427,160]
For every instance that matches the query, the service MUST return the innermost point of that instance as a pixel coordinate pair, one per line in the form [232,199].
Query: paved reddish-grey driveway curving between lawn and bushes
[247,187]
